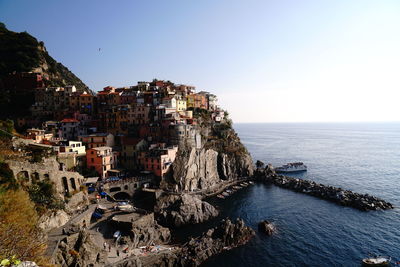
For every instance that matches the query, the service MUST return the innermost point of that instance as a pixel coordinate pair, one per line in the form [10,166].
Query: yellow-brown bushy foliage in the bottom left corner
[20,237]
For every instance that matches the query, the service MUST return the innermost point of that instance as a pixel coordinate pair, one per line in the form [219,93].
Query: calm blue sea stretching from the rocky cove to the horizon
[363,157]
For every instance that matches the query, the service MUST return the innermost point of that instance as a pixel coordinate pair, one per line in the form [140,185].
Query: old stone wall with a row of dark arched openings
[28,173]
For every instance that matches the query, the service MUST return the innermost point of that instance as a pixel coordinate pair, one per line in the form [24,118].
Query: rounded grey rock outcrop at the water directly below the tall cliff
[177,210]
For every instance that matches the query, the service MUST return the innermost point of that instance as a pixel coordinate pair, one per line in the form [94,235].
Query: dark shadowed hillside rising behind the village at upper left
[21,52]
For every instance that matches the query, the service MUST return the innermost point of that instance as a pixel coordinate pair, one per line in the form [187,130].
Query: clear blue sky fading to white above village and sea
[268,61]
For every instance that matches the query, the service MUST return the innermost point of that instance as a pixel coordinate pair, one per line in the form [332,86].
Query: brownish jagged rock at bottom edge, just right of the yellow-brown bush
[79,250]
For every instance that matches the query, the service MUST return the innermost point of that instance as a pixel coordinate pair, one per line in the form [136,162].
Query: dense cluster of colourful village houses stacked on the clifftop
[119,131]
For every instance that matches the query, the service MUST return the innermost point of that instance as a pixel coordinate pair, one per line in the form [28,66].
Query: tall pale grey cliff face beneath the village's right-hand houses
[221,157]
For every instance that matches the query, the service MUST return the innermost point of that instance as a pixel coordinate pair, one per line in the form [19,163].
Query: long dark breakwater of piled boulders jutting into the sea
[364,202]
